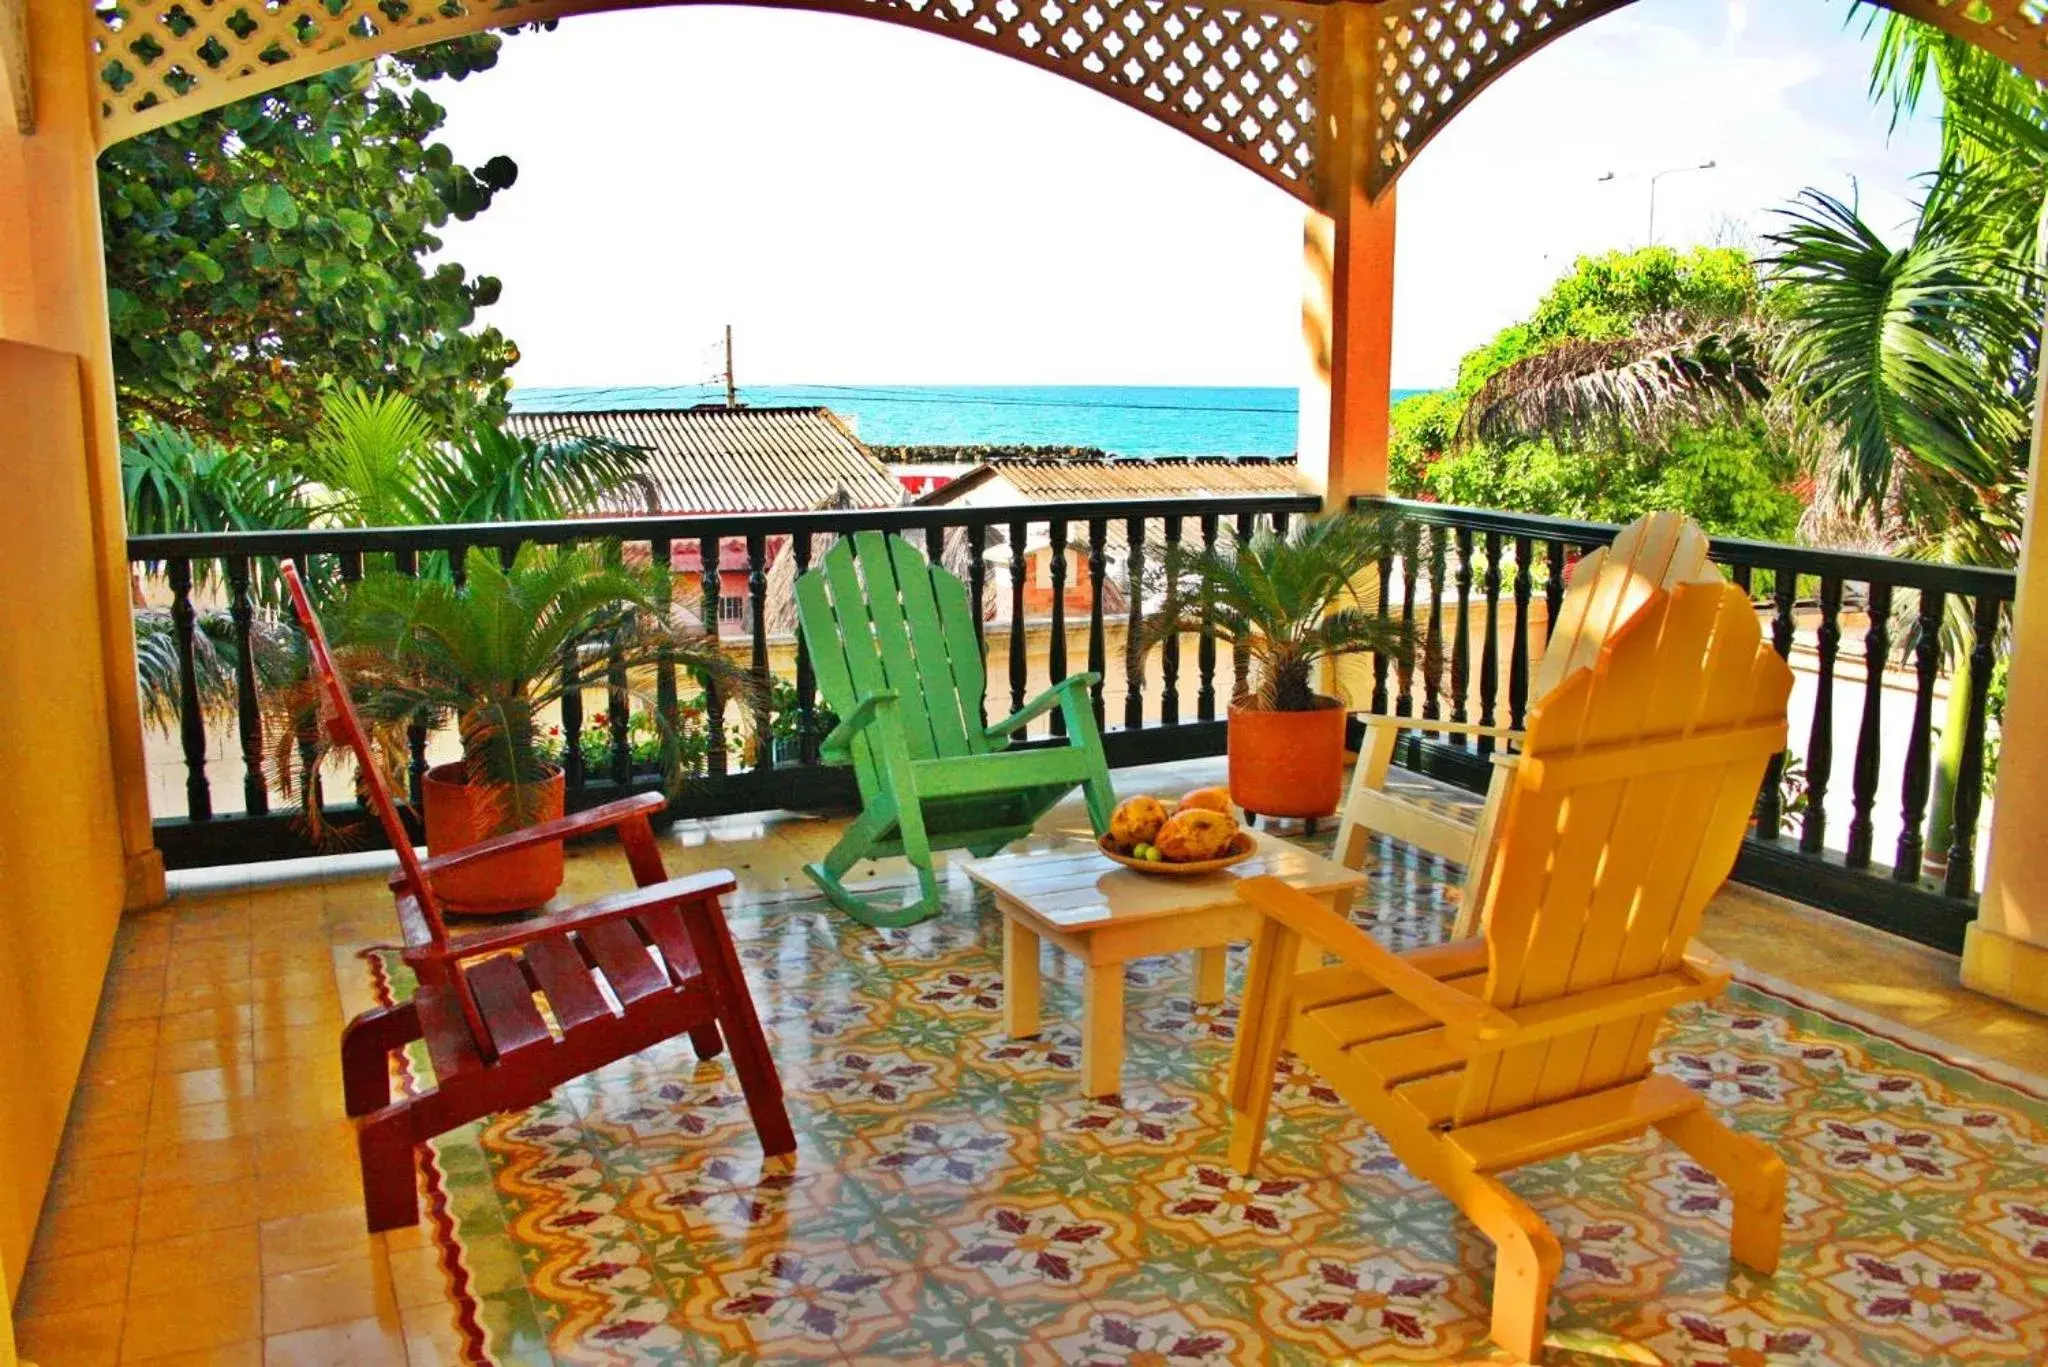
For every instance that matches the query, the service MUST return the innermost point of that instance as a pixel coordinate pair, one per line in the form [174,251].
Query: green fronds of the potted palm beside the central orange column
[1289,602]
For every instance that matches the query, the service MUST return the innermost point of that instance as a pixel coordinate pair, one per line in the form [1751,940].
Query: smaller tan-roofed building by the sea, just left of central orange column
[1011,483]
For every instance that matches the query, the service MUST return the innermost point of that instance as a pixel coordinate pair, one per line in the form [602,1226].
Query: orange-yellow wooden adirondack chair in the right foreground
[1486,1054]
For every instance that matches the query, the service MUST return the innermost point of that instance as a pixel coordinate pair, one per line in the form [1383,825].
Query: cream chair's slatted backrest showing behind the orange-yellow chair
[1660,550]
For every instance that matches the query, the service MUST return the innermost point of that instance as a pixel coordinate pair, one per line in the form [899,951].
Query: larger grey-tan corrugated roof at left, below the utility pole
[736,460]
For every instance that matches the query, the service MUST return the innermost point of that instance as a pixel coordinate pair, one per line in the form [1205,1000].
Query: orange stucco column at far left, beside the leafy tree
[54,296]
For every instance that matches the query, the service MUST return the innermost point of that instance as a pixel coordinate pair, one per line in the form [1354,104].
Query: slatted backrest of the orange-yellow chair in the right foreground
[1617,835]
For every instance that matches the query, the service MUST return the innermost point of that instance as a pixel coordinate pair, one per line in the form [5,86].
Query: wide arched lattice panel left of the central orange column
[1242,81]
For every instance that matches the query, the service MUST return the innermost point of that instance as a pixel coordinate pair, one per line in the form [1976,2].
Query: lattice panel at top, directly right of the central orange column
[1433,58]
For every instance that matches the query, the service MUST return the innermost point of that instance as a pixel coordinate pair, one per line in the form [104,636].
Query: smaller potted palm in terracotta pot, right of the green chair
[1291,604]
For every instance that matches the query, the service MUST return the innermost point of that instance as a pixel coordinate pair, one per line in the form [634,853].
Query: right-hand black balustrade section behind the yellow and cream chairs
[1885,763]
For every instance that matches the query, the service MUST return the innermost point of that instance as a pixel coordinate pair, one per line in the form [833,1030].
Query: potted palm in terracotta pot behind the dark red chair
[490,655]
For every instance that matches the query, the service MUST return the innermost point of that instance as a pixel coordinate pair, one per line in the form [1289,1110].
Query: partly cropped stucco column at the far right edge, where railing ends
[2006,952]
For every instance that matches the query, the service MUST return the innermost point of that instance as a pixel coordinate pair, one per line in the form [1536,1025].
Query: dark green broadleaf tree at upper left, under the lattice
[269,253]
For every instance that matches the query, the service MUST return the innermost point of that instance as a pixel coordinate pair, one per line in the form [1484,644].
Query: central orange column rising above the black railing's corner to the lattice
[1349,280]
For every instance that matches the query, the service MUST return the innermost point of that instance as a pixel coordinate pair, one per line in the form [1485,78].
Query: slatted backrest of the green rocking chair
[878,616]
